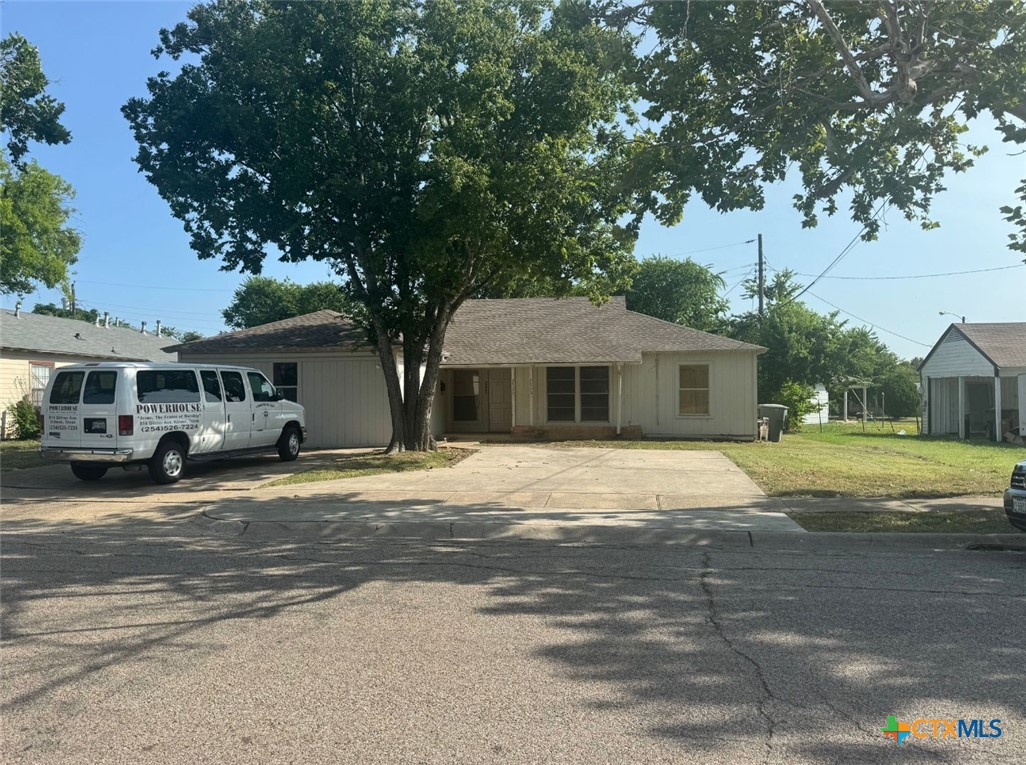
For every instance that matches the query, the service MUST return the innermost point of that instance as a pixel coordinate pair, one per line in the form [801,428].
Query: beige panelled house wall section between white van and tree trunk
[346,404]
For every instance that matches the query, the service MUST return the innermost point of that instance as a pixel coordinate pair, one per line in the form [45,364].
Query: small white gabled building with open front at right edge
[974,382]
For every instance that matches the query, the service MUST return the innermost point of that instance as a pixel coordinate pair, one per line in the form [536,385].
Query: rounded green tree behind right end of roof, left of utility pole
[681,292]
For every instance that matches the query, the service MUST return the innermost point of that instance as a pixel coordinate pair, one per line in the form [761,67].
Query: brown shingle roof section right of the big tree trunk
[573,331]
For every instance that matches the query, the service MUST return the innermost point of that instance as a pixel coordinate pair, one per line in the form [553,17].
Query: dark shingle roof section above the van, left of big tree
[322,331]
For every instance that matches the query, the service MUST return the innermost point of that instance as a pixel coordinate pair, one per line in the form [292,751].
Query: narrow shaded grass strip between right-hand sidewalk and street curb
[954,522]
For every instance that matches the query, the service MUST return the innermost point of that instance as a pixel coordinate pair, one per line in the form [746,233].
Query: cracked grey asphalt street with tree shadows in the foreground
[154,642]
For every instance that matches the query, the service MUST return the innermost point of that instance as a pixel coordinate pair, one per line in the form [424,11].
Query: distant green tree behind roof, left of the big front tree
[262,300]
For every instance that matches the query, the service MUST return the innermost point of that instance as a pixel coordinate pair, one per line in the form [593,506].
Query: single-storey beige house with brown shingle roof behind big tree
[530,369]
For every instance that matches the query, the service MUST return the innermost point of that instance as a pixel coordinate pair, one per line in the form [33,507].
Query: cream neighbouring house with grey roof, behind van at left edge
[32,346]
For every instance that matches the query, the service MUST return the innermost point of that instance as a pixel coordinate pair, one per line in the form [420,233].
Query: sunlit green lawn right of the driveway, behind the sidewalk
[842,461]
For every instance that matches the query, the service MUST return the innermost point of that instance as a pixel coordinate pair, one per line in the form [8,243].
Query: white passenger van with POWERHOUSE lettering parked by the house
[105,414]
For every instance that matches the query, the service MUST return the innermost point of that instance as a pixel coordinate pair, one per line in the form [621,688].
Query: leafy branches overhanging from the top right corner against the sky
[866,102]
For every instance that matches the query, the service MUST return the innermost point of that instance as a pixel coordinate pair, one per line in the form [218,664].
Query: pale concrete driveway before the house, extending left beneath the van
[537,486]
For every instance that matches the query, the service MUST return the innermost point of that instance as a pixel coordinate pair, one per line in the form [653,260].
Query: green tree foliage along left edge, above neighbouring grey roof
[37,245]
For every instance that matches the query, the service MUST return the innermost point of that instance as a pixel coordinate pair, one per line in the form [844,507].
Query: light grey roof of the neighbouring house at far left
[50,335]
